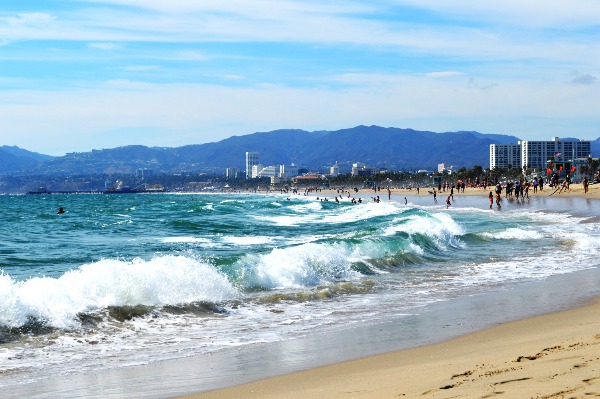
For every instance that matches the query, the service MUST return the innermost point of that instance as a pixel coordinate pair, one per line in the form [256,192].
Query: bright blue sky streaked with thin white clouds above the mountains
[77,75]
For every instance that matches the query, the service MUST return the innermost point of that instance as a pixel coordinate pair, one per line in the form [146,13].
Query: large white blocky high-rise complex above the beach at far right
[540,155]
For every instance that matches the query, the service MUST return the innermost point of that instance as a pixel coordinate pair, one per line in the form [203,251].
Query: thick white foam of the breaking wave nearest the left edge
[166,280]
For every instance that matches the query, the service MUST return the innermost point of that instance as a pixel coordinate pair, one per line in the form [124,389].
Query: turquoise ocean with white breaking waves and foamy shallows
[120,281]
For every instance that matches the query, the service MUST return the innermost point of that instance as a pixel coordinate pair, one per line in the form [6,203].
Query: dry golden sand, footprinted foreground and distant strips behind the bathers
[556,355]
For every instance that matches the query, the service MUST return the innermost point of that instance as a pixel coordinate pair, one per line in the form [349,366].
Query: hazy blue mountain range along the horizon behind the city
[392,148]
